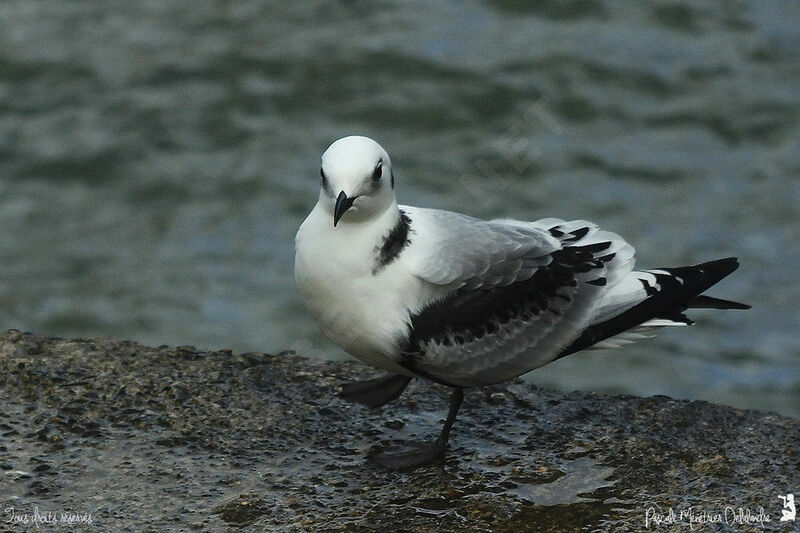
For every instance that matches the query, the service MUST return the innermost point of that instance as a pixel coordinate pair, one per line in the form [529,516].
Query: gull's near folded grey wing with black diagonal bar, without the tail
[488,329]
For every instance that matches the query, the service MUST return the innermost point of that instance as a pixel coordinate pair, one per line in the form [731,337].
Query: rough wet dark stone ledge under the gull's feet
[181,439]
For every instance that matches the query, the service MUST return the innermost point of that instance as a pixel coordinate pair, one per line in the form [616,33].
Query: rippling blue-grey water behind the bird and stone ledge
[157,157]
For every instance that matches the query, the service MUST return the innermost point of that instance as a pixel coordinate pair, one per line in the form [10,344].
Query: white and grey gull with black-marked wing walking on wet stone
[463,302]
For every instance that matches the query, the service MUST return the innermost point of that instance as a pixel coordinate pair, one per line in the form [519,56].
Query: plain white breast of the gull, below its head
[365,314]
